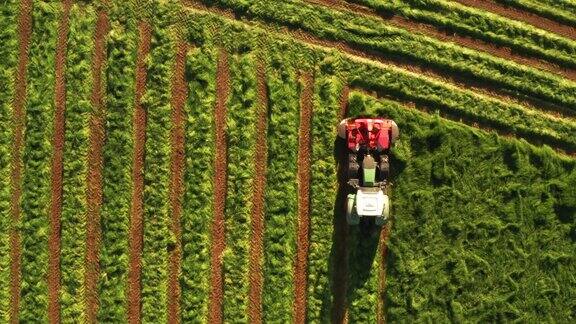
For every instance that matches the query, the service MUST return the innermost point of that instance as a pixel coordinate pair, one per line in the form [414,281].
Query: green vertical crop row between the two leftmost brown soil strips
[37,157]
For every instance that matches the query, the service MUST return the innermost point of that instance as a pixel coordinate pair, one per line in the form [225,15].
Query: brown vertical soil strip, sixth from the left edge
[220,183]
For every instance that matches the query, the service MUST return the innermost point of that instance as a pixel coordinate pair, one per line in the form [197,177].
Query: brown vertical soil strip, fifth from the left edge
[179,95]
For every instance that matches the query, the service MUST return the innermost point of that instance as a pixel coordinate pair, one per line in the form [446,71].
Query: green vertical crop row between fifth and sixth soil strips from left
[198,204]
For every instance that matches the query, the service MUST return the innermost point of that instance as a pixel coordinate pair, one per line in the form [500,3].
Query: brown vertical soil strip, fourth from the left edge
[136,212]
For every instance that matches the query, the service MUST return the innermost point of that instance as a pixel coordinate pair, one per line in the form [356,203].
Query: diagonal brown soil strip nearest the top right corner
[524,16]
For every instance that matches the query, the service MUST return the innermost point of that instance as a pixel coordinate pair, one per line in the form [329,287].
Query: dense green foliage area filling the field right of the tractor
[487,236]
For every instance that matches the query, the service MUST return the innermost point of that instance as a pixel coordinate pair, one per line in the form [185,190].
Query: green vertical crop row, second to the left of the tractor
[281,195]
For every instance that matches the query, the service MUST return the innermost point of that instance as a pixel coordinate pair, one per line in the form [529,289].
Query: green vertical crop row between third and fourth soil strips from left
[117,162]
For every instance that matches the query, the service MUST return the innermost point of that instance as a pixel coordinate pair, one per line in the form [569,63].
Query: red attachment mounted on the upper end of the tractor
[368,133]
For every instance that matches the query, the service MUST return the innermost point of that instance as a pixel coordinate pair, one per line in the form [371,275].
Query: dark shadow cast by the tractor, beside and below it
[354,248]
